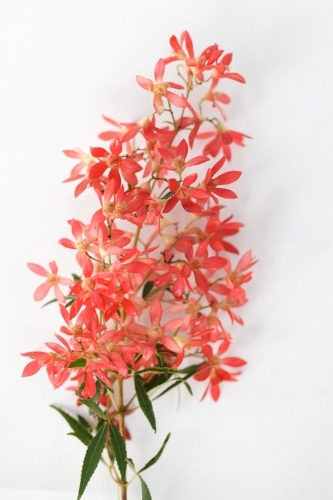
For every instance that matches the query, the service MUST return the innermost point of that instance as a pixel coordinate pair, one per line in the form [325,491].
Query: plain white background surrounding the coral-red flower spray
[63,64]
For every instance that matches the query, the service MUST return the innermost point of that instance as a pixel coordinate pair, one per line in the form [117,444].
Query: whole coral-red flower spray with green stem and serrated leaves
[148,310]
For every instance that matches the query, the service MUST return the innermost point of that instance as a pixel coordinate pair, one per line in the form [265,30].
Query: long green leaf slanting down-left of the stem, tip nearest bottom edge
[91,459]
